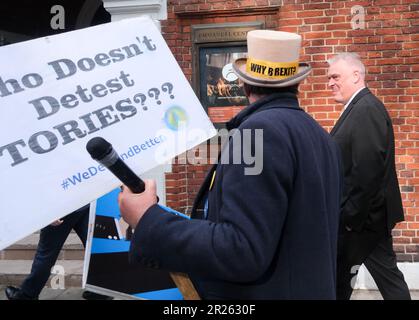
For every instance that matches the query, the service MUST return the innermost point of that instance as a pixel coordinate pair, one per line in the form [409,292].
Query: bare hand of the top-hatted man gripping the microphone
[134,205]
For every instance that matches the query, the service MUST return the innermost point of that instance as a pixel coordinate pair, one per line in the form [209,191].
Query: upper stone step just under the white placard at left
[25,249]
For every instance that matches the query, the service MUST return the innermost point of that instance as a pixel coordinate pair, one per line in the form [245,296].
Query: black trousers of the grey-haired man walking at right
[375,251]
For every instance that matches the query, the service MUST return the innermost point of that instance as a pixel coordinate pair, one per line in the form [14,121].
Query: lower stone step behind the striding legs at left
[13,272]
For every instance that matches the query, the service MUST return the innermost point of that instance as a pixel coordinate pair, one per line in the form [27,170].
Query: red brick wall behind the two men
[389,46]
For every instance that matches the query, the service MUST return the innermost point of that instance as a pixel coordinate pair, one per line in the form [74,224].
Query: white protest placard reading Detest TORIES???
[118,81]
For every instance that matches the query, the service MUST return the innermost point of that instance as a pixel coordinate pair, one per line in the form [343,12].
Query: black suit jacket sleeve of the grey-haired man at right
[368,142]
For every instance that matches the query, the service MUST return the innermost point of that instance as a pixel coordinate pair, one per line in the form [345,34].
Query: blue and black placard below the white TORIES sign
[109,265]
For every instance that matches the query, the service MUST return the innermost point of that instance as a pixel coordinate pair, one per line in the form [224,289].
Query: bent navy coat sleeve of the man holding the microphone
[240,246]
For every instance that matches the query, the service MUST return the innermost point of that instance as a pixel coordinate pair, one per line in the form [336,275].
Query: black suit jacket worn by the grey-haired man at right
[371,197]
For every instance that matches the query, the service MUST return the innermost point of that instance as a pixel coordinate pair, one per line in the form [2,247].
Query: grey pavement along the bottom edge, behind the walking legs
[76,294]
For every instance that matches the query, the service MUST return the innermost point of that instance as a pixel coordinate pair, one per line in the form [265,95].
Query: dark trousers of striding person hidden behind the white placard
[50,244]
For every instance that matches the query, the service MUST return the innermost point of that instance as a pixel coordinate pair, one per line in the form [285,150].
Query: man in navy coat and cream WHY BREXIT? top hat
[256,233]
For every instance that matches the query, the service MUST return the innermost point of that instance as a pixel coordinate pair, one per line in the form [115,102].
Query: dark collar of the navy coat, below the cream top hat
[277,100]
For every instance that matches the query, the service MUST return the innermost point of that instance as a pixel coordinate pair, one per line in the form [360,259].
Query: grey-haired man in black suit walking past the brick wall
[371,203]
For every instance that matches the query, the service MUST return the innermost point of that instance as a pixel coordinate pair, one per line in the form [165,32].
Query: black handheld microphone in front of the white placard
[102,151]
